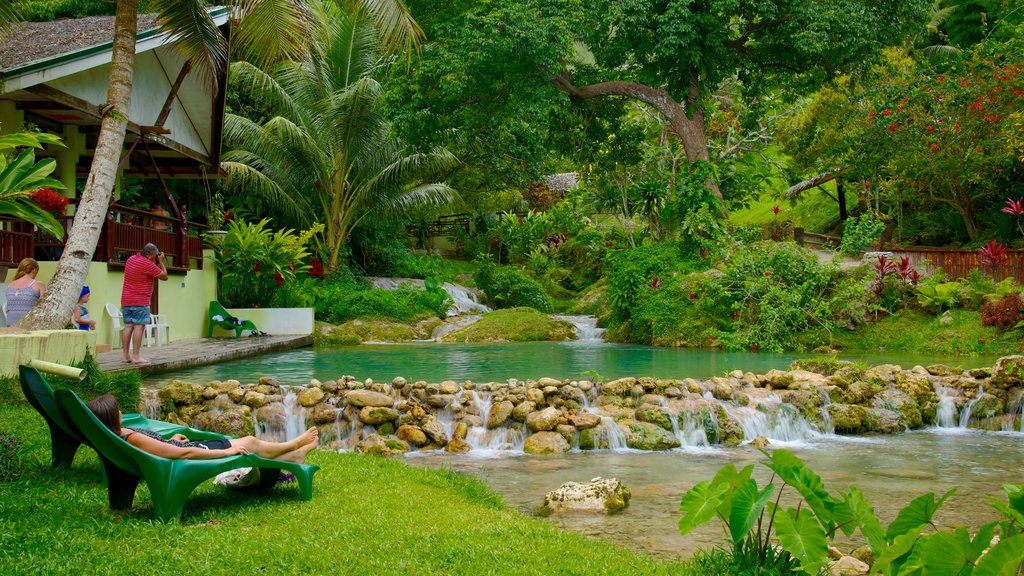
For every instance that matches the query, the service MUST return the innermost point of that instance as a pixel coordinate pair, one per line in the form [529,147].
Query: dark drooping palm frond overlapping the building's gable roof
[197,36]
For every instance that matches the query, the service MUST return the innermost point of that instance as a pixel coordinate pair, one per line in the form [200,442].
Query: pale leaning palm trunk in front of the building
[54,310]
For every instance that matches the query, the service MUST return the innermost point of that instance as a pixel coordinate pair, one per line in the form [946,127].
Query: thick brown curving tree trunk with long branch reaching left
[690,131]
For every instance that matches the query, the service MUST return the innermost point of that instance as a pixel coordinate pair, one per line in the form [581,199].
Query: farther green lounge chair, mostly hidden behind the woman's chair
[65,440]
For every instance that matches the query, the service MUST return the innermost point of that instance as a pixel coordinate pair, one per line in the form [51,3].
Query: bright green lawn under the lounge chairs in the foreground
[368,516]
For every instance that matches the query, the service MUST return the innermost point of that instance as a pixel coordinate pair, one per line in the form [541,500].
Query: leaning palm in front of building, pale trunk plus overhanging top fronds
[281,23]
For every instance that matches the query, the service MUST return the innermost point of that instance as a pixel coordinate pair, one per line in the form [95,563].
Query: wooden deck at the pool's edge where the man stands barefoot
[200,352]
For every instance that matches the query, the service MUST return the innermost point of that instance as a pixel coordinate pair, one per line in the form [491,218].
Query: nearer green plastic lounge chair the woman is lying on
[170,481]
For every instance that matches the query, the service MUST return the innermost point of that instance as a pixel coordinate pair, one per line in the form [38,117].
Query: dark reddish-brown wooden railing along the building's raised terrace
[124,233]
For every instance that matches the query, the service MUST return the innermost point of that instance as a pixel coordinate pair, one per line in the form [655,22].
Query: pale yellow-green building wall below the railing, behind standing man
[184,300]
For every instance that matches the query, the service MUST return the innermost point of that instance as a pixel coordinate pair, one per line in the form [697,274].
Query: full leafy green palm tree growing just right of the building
[327,153]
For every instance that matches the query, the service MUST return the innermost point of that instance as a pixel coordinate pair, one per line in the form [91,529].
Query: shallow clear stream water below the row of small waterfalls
[890,471]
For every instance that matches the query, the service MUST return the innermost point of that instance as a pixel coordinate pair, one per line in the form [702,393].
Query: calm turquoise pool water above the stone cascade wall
[482,363]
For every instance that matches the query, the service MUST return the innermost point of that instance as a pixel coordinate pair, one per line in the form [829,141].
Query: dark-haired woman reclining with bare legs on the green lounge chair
[106,408]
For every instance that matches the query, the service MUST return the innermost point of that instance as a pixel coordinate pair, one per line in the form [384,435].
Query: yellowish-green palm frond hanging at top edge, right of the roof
[271,31]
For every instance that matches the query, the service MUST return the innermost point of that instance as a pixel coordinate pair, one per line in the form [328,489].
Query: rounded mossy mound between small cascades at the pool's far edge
[514,325]
